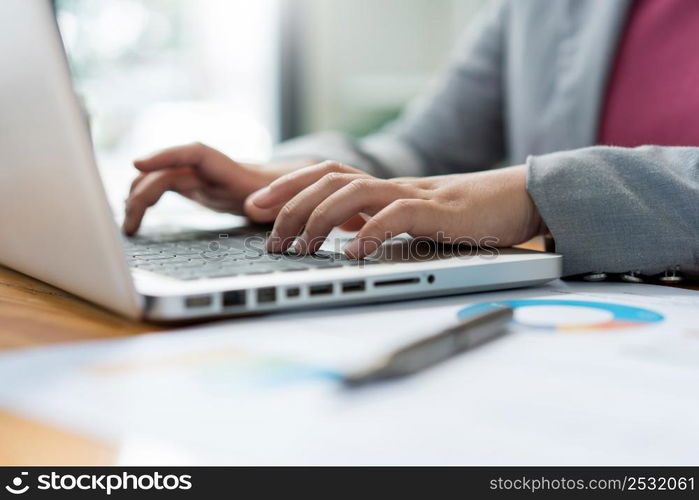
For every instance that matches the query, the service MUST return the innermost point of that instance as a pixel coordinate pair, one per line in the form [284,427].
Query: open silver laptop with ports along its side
[57,224]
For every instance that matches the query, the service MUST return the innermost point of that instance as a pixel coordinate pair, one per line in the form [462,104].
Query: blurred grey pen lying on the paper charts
[417,356]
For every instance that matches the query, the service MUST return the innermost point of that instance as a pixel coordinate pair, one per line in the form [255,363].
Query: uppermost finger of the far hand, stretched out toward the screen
[211,164]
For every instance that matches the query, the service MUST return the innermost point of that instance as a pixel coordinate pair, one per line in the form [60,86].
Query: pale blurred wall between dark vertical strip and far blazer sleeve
[363,59]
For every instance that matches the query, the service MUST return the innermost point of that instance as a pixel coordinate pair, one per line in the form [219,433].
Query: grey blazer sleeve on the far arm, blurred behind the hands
[455,127]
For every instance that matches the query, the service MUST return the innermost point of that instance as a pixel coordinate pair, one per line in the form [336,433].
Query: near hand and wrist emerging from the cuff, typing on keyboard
[448,208]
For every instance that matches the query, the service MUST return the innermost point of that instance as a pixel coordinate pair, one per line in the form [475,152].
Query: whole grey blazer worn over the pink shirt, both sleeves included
[526,85]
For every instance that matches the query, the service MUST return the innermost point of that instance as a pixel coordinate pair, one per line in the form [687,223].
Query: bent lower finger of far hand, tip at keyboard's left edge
[151,188]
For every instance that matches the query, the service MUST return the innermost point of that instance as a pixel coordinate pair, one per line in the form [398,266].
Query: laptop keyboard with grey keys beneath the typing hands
[199,256]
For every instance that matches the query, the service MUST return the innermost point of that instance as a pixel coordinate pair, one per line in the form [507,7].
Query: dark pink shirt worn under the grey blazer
[653,91]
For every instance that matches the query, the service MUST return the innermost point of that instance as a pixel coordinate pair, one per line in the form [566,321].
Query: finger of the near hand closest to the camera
[415,217]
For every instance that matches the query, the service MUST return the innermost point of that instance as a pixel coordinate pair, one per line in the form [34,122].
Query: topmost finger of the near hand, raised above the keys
[287,186]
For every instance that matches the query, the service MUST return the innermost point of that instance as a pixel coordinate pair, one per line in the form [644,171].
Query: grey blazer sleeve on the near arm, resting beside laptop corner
[620,209]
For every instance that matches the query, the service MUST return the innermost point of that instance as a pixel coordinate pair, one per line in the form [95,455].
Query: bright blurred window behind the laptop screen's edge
[153,73]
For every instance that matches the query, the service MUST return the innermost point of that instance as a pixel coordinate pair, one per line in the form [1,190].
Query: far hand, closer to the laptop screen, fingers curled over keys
[202,174]
